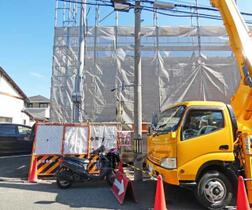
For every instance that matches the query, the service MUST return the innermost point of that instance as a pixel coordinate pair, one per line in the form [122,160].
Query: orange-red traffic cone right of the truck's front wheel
[242,199]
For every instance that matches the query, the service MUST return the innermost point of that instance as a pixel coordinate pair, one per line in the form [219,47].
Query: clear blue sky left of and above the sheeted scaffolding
[26,38]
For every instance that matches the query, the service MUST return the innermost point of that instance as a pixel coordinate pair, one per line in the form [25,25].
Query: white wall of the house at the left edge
[12,104]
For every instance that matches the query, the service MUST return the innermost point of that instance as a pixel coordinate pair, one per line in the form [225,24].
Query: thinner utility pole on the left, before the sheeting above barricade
[76,96]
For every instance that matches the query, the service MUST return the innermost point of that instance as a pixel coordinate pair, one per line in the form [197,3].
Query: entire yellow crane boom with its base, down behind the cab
[241,44]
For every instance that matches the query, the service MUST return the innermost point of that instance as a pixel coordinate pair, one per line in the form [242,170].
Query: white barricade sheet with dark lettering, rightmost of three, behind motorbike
[103,135]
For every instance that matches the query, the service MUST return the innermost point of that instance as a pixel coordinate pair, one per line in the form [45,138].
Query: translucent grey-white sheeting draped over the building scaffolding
[175,68]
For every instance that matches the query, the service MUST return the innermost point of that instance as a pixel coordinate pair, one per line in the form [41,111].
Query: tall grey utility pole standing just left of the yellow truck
[138,94]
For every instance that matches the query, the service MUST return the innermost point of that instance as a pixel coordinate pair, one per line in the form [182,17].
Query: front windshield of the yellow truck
[169,119]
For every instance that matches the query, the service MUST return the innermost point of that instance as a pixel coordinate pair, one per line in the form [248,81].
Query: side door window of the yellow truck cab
[201,122]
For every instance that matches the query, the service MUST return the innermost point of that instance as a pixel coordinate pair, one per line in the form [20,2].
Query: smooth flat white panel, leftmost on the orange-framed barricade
[48,139]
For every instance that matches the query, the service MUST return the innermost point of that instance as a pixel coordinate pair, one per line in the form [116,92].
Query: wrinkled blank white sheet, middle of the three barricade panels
[76,140]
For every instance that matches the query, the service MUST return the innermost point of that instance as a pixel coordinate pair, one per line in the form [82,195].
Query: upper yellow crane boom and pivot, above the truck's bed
[241,44]
